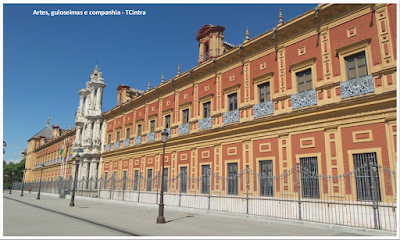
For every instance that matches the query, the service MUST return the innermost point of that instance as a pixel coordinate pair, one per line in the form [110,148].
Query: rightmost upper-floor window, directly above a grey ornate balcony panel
[356,65]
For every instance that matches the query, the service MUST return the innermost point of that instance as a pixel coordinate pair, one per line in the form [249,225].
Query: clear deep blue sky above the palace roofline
[47,60]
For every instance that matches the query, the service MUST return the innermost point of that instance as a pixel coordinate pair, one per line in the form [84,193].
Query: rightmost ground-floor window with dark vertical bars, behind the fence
[362,173]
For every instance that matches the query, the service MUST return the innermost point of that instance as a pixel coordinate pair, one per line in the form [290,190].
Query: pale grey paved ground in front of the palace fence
[104,217]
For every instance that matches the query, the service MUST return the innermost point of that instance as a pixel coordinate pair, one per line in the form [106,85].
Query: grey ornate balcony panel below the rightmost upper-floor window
[357,86]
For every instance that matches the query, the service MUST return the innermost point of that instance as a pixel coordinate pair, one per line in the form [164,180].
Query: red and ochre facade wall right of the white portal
[332,130]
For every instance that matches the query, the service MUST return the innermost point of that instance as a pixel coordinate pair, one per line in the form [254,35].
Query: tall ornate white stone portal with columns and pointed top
[89,127]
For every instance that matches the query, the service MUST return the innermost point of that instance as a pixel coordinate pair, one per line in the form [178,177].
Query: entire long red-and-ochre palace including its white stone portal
[299,118]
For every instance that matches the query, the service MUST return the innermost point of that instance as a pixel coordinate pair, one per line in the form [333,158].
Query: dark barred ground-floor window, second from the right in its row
[309,177]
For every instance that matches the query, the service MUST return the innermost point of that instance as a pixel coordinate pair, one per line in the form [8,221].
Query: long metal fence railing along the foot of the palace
[365,197]
